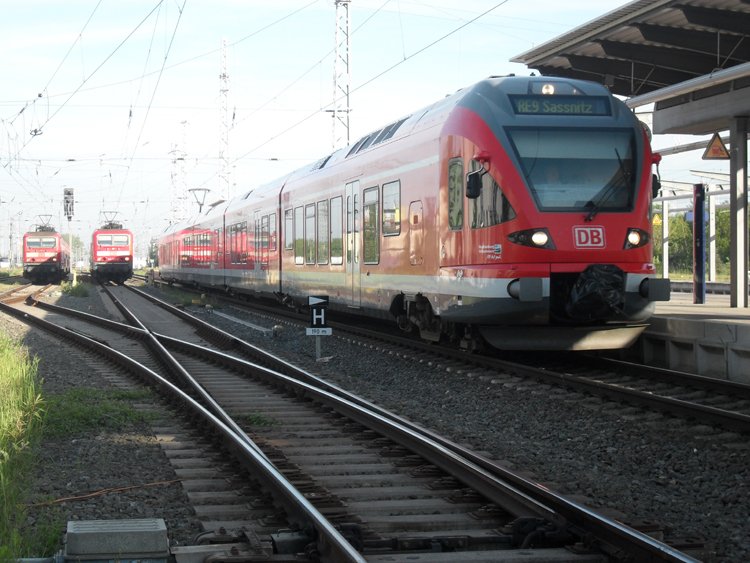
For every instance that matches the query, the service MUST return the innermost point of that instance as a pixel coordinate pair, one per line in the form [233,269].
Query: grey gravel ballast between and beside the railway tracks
[640,466]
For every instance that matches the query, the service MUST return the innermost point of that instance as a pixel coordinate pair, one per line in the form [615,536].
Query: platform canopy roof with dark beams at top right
[647,45]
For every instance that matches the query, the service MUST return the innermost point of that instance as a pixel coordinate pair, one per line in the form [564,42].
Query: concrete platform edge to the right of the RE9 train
[712,339]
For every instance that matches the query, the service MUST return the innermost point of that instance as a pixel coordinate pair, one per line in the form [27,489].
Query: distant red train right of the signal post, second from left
[111,253]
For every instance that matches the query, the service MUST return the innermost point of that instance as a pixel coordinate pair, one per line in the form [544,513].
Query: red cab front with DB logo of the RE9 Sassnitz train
[559,193]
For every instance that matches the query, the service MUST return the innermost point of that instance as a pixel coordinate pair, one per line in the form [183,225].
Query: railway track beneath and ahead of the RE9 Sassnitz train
[711,401]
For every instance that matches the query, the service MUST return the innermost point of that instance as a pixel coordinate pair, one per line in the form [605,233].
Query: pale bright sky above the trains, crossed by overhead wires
[134,103]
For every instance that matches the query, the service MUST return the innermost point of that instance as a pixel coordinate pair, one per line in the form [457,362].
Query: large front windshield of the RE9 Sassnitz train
[586,170]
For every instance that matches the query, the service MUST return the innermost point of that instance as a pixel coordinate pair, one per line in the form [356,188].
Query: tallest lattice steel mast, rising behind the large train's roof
[341,76]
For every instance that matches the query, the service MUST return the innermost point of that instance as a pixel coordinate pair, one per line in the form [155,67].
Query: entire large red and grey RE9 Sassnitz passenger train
[515,212]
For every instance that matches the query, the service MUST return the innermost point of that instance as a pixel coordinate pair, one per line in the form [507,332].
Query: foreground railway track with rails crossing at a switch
[381,480]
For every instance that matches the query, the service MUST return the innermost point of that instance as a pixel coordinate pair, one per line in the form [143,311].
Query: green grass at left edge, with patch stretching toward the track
[26,419]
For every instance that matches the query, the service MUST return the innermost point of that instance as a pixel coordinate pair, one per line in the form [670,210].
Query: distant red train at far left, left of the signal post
[46,256]
